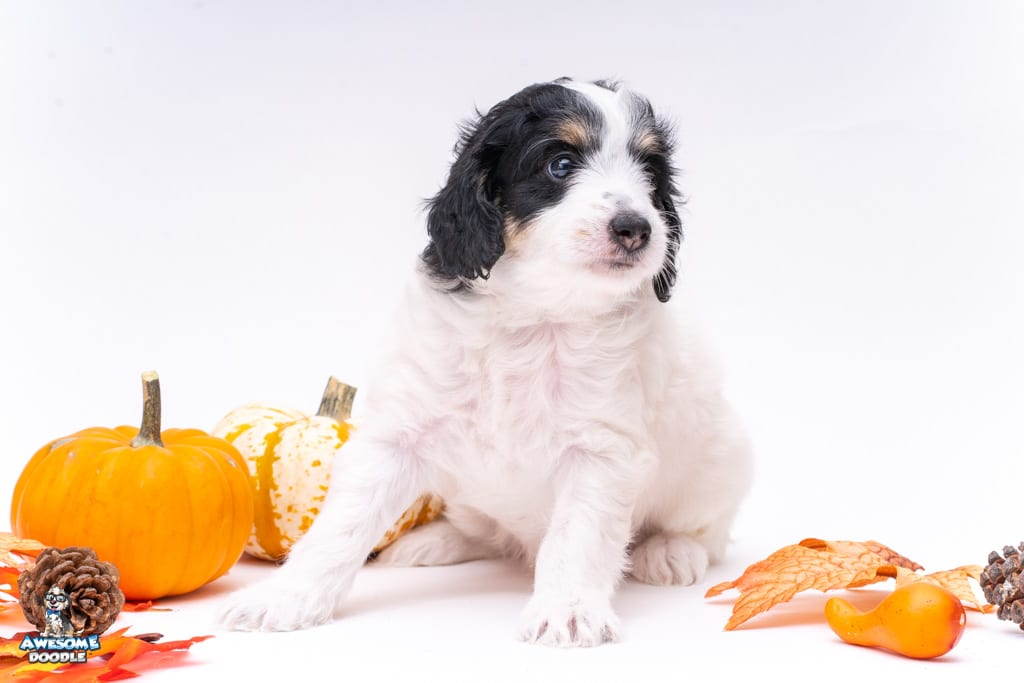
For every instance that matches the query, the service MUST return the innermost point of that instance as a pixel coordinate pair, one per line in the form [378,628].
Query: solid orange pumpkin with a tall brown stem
[172,510]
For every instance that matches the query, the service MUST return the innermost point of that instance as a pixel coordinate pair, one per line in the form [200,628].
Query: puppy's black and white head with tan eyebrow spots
[568,184]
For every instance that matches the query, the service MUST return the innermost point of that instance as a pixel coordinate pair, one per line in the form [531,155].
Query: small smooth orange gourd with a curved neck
[919,620]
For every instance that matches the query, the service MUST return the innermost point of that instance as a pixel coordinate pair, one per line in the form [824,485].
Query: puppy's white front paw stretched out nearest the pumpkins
[276,606]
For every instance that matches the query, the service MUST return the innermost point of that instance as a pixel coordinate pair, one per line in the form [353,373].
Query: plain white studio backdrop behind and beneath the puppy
[232,194]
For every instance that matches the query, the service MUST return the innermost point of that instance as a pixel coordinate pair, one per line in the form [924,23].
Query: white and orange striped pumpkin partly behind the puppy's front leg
[290,454]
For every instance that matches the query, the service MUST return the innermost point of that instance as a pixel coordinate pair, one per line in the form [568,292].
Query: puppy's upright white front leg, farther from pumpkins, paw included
[583,556]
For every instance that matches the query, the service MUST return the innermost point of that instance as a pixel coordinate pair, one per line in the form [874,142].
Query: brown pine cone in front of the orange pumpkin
[92,587]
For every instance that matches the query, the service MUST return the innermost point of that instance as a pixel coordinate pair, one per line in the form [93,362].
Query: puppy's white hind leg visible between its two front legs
[435,544]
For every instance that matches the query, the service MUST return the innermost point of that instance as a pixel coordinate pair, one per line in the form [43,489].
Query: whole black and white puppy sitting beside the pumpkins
[540,385]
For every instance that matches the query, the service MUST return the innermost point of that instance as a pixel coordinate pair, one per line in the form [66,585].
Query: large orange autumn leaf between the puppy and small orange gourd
[814,564]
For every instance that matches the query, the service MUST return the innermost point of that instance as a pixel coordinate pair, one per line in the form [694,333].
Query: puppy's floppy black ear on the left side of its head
[464,223]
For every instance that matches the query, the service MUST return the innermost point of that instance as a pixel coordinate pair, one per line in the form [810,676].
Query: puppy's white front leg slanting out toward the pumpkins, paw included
[372,484]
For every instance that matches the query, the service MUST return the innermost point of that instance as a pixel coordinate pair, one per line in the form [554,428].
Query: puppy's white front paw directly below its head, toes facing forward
[573,623]
